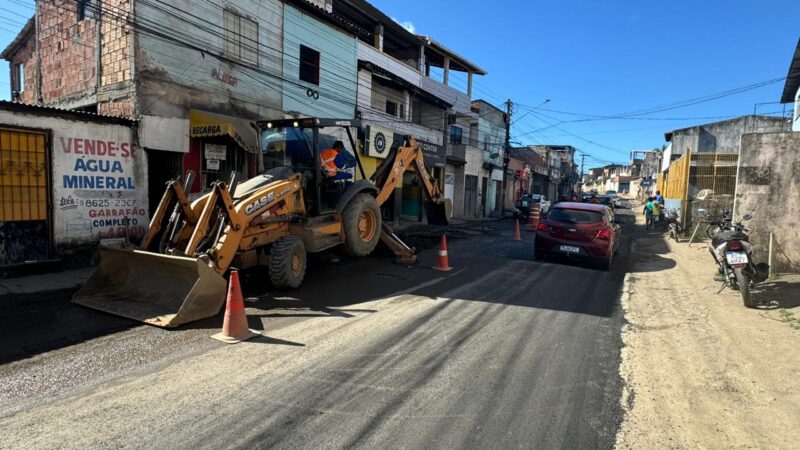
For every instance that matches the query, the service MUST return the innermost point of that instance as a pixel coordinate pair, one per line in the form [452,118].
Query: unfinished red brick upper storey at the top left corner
[67,58]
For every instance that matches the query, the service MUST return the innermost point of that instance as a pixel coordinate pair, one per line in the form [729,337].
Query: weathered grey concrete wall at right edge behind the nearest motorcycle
[768,188]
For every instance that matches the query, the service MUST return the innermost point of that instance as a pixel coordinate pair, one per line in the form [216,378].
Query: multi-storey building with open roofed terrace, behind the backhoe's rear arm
[398,97]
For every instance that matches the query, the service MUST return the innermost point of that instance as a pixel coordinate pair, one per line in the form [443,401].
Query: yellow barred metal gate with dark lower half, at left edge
[24,190]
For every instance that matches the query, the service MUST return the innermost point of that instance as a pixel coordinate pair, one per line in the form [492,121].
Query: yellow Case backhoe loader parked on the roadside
[176,275]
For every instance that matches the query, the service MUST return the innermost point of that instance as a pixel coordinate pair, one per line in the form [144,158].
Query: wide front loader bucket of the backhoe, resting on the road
[161,290]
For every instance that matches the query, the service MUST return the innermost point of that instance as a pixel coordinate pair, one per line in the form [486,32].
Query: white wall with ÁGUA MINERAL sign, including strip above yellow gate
[83,157]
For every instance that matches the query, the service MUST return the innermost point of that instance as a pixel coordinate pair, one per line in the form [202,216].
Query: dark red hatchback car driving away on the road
[579,231]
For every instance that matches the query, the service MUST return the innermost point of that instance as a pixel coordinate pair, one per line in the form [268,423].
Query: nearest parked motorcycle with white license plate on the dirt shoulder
[731,249]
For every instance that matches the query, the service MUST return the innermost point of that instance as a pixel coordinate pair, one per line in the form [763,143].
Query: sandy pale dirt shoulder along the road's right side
[700,369]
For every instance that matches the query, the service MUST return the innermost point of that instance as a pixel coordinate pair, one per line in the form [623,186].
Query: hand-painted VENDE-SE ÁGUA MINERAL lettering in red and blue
[99,189]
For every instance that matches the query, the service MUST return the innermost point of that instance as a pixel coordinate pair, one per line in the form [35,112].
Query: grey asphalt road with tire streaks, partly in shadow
[501,352]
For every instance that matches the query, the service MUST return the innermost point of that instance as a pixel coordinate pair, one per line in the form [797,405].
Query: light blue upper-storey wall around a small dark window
[338,71]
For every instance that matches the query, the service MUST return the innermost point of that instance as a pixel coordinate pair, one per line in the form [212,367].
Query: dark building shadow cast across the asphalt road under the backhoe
[482,252]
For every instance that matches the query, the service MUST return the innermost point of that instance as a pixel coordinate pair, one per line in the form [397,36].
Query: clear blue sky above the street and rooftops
[596,58]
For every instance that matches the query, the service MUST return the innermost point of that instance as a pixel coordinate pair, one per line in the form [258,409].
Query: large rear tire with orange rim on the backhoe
[362,225]
